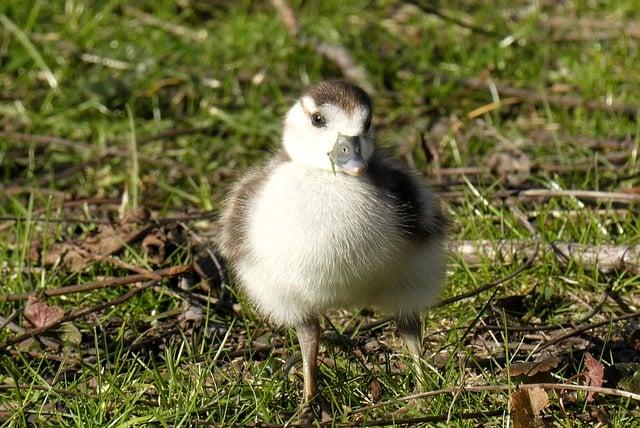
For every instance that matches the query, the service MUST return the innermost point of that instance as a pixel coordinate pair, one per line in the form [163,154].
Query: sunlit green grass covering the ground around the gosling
[119,79]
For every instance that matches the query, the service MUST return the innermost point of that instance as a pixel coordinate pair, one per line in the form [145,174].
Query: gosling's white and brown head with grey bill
[329,128]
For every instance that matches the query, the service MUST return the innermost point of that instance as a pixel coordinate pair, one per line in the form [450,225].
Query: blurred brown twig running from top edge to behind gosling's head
[334,53]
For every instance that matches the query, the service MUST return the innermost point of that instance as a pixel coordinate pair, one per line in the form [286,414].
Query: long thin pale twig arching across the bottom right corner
[497,388]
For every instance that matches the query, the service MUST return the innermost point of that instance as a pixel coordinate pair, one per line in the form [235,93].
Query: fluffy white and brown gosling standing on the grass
[332,221]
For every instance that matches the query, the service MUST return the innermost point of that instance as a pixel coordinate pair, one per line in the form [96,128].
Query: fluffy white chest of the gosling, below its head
[319,237]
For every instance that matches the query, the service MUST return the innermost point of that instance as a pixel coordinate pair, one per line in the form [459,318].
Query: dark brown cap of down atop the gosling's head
[343,94]
